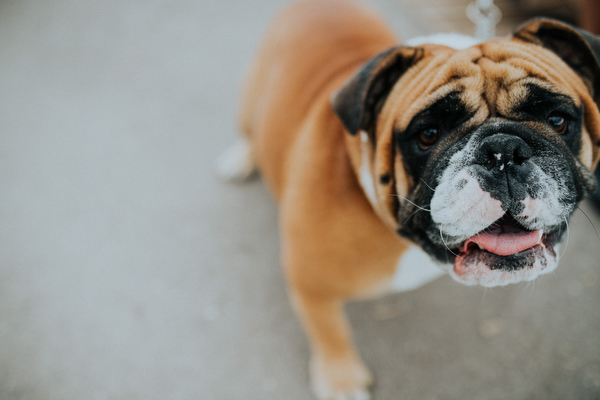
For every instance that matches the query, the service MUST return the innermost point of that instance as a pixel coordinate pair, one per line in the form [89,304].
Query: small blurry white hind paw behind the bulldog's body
[237,163]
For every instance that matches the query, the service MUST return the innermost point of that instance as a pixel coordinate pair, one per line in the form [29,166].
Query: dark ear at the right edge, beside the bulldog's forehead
[578,48]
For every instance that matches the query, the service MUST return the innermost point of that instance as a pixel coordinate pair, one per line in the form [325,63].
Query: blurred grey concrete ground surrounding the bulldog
[128,271]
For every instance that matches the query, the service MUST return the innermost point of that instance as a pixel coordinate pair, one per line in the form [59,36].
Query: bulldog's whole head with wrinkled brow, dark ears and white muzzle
[481,155]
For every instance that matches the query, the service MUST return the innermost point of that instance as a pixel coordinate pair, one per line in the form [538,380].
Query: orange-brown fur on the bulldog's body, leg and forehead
[335,244]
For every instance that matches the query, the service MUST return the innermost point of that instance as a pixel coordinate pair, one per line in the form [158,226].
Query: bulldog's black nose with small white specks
[501,150]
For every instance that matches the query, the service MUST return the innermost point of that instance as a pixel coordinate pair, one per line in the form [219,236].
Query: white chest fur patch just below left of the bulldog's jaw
[415,269]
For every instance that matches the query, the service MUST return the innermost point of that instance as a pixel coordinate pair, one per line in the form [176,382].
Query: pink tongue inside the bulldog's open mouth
[505,244]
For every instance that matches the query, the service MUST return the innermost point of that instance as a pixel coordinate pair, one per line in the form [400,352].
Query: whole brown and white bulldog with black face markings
[379,153]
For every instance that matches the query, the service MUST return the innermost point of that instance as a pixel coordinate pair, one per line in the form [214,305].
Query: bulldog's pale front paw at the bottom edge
[346,379]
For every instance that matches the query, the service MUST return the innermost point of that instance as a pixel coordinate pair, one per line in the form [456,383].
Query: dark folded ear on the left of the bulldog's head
[360,100]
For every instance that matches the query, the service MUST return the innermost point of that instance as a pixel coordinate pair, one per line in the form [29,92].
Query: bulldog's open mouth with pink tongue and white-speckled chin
[505,252]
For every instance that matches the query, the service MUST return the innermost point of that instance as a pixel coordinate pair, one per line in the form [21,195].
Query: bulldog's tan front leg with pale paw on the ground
[336,370]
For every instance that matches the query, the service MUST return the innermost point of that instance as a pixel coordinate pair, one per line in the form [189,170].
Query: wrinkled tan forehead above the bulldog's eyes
[490,78]
